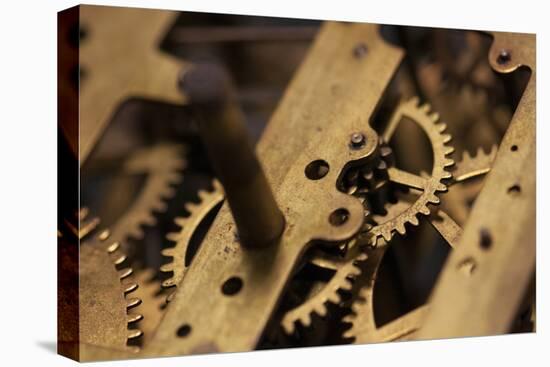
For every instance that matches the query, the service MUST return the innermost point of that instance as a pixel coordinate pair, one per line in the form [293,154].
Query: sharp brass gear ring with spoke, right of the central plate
[430,185]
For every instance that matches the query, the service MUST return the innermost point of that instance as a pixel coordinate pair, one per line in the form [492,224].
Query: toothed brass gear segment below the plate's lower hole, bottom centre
[342,280]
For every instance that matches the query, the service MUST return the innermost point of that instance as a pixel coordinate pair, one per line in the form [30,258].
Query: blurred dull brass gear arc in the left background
[162,164]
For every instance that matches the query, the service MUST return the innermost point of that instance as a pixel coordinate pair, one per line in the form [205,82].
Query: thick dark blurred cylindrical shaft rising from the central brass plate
[222,127]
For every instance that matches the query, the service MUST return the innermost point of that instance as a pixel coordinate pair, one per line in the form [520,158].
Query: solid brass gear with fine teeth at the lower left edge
[107,316]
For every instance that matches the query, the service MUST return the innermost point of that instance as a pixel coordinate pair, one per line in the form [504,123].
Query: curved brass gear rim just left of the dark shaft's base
[178,264]
